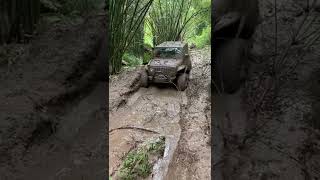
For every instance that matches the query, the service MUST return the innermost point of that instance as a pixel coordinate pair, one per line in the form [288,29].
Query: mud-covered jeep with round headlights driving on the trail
[170,64]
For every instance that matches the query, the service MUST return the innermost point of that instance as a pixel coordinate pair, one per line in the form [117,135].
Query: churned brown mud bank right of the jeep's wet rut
[192,159]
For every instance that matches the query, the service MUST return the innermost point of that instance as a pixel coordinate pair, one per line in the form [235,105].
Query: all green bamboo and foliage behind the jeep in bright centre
[138,25]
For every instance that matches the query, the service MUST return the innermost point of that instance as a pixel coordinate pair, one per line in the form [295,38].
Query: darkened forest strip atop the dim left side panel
[21,19]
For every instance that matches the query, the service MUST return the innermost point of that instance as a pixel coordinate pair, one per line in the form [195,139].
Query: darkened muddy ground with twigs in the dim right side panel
[270,130]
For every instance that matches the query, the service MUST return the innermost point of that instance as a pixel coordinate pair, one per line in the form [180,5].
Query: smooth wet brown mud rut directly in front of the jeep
[153,109]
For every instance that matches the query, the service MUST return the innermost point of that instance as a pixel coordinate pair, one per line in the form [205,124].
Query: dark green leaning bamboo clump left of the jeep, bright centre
[126,17]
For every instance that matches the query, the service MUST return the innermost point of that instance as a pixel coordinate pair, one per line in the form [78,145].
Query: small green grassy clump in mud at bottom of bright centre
[137,162]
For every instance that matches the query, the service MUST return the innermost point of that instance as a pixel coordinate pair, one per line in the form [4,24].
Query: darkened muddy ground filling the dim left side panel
[53,115]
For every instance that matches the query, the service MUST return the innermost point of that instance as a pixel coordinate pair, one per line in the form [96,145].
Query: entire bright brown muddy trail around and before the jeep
[183,118]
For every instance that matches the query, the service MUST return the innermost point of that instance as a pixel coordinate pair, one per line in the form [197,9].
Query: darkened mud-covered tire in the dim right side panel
[230,58]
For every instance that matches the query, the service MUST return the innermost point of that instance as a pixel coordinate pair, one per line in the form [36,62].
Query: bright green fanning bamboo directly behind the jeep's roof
[169,20]
